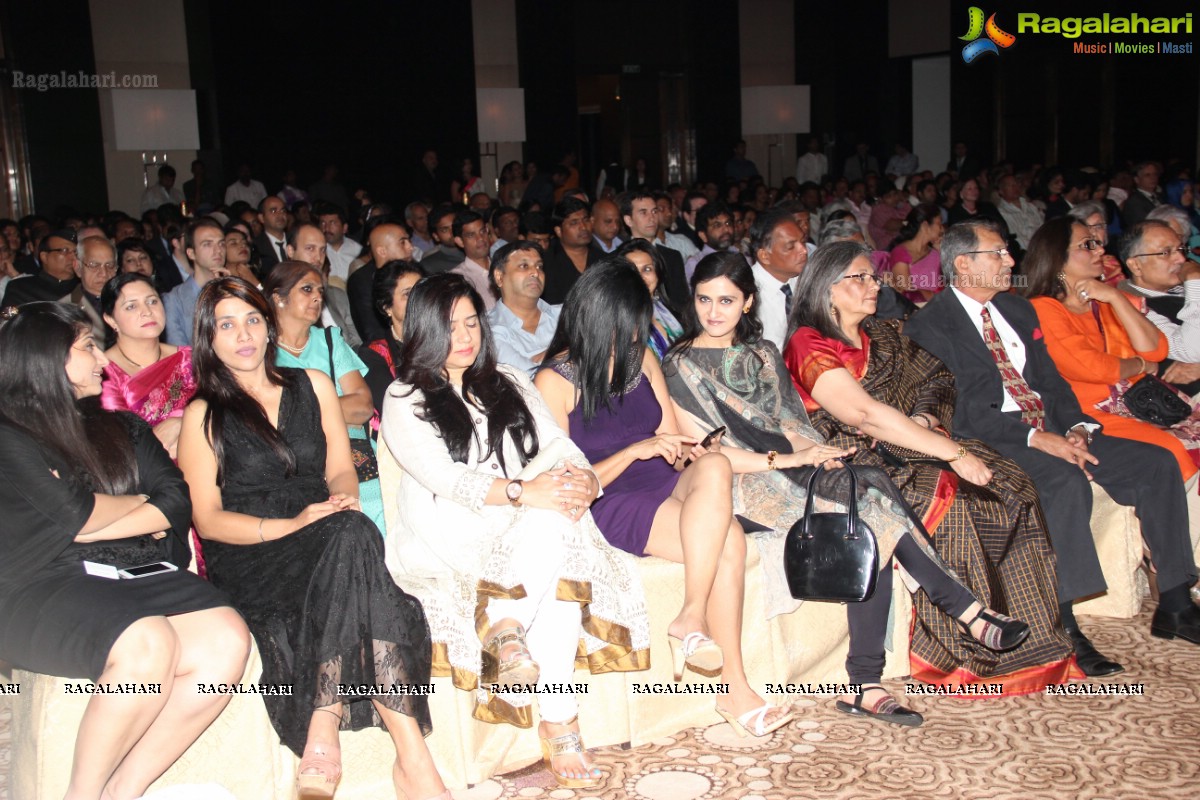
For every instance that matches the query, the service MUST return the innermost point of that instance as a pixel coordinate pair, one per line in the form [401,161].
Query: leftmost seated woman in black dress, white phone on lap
[81,485]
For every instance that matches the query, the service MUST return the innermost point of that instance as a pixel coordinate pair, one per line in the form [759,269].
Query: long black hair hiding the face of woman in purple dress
[608,315]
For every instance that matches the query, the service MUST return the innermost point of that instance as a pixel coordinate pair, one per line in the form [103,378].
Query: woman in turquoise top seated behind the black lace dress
[298,292]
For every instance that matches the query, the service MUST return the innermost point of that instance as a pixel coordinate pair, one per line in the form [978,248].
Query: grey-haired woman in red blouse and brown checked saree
[865,383]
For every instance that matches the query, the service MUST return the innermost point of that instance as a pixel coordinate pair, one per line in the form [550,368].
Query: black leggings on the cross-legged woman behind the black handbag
[869,619]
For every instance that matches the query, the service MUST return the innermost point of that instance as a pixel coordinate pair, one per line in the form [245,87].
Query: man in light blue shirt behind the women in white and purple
[523,323]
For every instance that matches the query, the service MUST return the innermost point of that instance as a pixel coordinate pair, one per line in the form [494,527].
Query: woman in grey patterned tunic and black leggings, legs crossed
[723,374]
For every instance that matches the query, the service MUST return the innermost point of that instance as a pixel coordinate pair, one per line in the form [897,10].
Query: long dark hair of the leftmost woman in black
[38,398]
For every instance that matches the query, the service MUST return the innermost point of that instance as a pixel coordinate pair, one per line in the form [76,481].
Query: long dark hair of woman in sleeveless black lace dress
[218,387]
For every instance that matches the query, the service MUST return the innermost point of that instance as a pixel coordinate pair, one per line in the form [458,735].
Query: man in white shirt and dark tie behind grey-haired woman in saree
[778,248]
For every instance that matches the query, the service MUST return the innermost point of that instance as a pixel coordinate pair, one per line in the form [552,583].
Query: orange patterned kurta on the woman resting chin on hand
[1091,363]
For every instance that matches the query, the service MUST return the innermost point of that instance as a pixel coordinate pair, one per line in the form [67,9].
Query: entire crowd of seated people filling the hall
[545,366]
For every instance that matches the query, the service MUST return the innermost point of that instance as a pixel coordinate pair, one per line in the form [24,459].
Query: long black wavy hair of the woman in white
[428,342]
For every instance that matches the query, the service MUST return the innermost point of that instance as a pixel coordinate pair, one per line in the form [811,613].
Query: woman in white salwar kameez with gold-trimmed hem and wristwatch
[513,574]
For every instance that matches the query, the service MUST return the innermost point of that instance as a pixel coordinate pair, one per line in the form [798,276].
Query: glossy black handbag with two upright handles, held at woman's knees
[832,556]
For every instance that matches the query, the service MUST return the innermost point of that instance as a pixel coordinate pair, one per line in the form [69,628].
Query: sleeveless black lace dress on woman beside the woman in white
[321,604]
